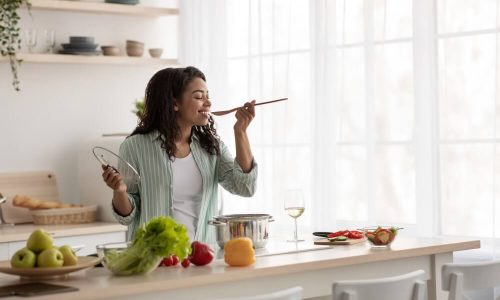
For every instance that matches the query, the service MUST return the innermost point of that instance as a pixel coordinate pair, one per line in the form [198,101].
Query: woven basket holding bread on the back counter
[73,215]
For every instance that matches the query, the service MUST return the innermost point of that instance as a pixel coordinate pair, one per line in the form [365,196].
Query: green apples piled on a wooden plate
[41,258]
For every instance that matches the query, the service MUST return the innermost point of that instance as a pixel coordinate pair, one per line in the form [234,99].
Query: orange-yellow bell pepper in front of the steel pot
[239,252]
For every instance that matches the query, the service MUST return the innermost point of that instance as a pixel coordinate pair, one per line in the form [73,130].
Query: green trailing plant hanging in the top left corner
[10,39]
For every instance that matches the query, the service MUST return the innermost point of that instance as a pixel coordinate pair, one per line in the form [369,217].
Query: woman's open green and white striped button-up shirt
[153,196]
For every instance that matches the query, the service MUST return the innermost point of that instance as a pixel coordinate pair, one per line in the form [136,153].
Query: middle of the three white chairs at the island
[409,286]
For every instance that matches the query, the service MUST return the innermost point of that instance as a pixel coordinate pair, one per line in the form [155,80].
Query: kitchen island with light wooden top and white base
[313,269]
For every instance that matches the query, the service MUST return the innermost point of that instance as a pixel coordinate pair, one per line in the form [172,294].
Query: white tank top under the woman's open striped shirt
[187,190]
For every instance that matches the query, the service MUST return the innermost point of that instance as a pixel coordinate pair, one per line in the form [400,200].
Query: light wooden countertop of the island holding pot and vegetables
[99,283]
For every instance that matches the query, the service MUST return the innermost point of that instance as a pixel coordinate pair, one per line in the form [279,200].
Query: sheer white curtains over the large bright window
[392,112]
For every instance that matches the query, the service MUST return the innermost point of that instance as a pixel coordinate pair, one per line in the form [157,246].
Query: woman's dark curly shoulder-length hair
[163,89]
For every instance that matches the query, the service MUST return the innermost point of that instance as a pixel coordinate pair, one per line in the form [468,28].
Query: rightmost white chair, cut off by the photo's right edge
[460,277]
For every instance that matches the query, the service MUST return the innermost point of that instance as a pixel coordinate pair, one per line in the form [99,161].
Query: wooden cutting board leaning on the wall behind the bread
[41,185]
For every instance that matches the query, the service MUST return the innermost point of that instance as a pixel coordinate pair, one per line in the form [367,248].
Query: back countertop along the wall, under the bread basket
[21,232]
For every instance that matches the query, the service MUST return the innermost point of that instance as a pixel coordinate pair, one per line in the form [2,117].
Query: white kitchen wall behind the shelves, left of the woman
[62,105]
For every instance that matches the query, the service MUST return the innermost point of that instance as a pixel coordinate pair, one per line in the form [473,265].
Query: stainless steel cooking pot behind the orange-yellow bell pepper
[254,226]
